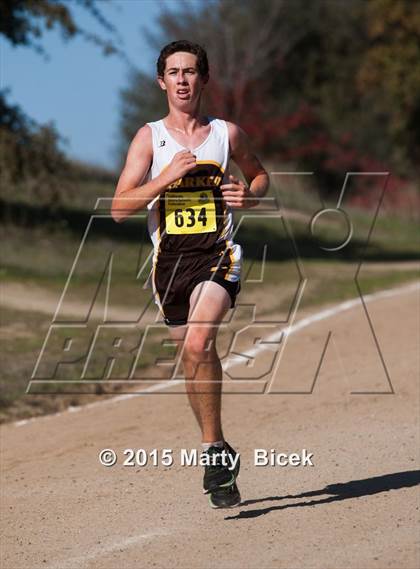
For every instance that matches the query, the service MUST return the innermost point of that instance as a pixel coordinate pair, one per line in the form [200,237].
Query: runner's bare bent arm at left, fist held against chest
[131,194]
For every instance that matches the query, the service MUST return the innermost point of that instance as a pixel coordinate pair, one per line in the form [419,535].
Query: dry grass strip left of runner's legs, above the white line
[23,335]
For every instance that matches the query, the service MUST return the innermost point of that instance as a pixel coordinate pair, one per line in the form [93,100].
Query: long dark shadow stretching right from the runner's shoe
[336,492]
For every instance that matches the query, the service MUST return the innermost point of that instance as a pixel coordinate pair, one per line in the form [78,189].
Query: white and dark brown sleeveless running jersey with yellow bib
[190,217]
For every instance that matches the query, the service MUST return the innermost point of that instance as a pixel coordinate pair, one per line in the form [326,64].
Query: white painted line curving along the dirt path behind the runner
[321,315]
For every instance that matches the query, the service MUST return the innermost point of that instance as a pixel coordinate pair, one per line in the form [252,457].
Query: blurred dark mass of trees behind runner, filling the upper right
[298,77]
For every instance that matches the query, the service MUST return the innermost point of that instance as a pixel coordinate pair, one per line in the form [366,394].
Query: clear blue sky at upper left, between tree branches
[77,88]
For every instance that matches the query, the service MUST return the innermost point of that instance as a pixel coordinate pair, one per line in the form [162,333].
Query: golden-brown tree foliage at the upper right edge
[389,75]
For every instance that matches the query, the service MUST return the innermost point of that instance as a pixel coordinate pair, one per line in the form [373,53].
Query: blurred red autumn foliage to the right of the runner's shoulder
[300,137]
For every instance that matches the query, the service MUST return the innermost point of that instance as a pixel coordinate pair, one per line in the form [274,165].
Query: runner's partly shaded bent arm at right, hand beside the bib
[237,194]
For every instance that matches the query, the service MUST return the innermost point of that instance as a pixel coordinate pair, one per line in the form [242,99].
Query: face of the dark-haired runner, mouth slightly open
[181,79]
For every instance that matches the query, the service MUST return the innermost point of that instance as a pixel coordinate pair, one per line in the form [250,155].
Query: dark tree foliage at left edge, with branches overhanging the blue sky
[33,168]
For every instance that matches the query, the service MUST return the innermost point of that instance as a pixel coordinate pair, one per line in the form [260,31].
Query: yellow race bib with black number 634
[190,212]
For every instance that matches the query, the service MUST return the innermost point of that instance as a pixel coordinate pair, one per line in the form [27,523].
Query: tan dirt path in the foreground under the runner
[355,508]
